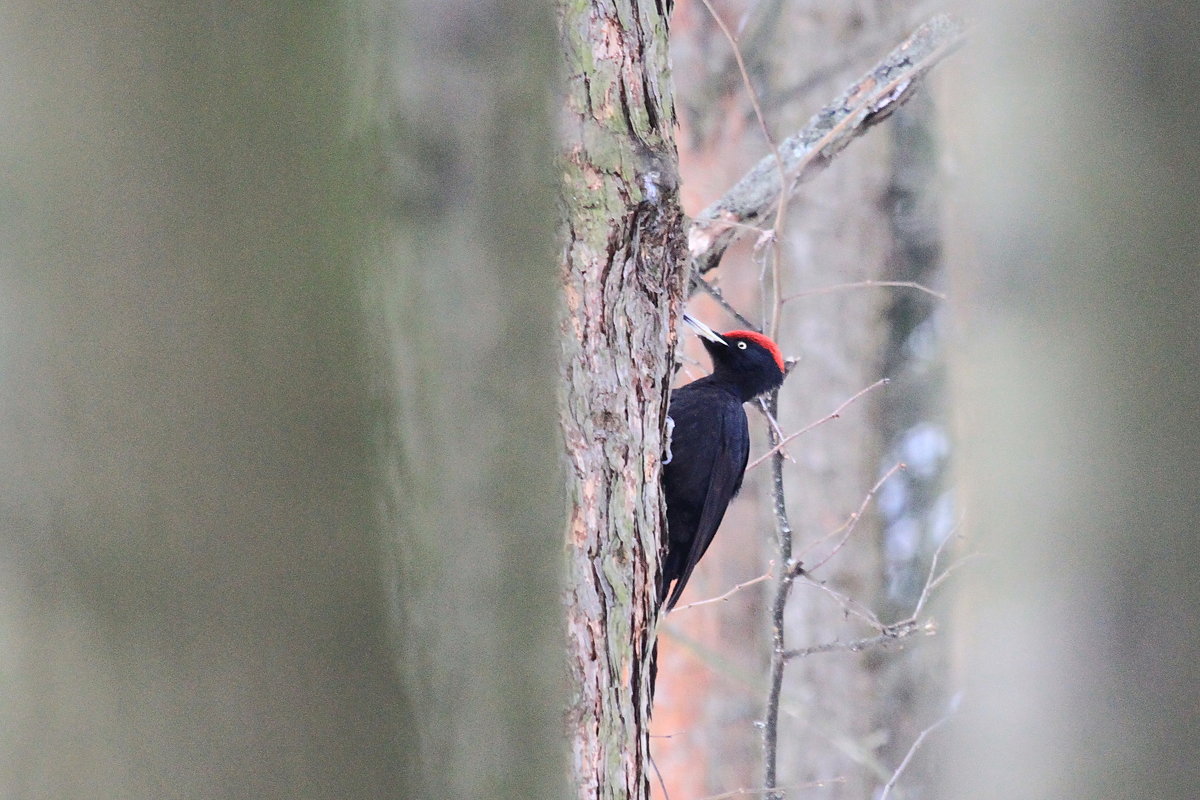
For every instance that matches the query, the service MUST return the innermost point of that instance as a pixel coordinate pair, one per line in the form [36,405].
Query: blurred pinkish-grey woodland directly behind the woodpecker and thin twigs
[874,216]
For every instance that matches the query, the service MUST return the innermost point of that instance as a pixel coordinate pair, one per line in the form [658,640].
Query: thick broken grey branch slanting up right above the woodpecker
[867,103]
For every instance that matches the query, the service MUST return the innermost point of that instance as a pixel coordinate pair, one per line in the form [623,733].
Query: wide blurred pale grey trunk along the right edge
[1081,404]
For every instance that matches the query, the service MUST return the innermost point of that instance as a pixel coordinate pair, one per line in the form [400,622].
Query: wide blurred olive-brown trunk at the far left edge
[193,605]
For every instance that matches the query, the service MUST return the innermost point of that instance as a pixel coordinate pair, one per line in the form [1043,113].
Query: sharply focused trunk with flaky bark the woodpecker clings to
[623,274]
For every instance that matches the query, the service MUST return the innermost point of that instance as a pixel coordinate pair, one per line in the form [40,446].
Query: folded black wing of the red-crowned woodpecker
[730,437]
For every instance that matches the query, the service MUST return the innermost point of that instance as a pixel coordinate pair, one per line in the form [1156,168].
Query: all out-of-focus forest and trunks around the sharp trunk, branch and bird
[281,496]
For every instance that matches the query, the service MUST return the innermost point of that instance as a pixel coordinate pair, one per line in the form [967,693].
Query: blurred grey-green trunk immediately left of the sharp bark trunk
[465,288]
